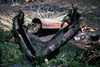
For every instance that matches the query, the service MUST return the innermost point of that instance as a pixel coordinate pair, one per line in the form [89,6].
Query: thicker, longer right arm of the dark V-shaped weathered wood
[57,41]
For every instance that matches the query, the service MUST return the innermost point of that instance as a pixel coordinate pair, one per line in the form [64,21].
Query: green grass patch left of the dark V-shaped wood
[9,52]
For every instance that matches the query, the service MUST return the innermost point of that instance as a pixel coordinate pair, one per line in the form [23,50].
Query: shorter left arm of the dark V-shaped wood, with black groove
[26,44]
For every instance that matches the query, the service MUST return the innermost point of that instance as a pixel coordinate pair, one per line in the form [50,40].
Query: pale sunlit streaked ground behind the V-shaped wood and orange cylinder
[6,17]
